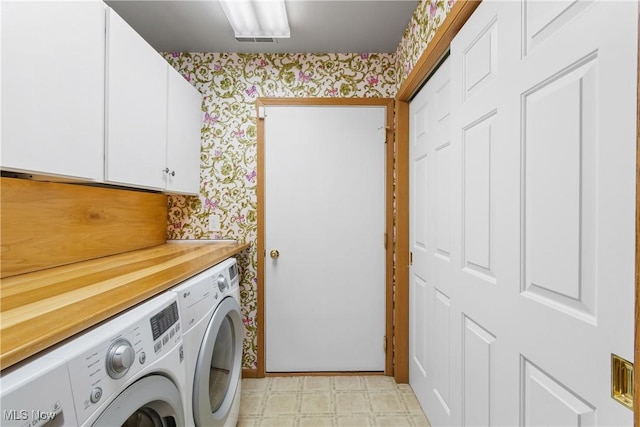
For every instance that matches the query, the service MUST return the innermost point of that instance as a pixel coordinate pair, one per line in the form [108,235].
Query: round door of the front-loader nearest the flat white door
[219,366]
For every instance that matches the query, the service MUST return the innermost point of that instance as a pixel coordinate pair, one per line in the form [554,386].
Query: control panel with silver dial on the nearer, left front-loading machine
[103,360]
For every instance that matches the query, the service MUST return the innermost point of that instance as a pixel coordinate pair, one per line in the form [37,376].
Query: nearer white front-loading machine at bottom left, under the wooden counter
[127,371]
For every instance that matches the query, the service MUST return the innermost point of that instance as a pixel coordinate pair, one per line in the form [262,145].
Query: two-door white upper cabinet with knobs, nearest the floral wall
[153,117]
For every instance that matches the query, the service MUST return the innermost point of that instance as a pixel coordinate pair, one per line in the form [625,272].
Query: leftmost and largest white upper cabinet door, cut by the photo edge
[53,59]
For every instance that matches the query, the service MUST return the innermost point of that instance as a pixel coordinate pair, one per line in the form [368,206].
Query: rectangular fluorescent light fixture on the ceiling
[257,18]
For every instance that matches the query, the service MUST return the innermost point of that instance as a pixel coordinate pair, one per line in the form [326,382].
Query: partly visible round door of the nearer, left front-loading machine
[151,401]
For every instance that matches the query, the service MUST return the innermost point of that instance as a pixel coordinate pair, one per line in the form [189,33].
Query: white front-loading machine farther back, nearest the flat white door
[212,326]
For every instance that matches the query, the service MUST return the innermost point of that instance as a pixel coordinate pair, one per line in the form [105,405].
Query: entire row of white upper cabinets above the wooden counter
[85,98]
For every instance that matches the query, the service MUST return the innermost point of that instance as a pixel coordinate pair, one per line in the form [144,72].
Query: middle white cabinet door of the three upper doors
[136,134]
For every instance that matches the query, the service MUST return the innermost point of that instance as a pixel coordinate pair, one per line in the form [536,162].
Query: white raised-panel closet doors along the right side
[540,290]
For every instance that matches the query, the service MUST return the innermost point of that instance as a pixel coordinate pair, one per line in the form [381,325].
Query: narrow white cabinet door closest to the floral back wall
[184,121]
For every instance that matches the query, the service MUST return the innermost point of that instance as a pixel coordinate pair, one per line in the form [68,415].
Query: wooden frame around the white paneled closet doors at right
[429,59]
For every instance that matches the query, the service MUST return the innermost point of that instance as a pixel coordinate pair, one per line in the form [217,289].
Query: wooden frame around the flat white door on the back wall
[388,103]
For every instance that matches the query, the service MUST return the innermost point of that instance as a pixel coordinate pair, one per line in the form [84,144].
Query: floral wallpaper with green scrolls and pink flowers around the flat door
[230,84]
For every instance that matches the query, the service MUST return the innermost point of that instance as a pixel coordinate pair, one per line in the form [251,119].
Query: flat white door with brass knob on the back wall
[324,214]
